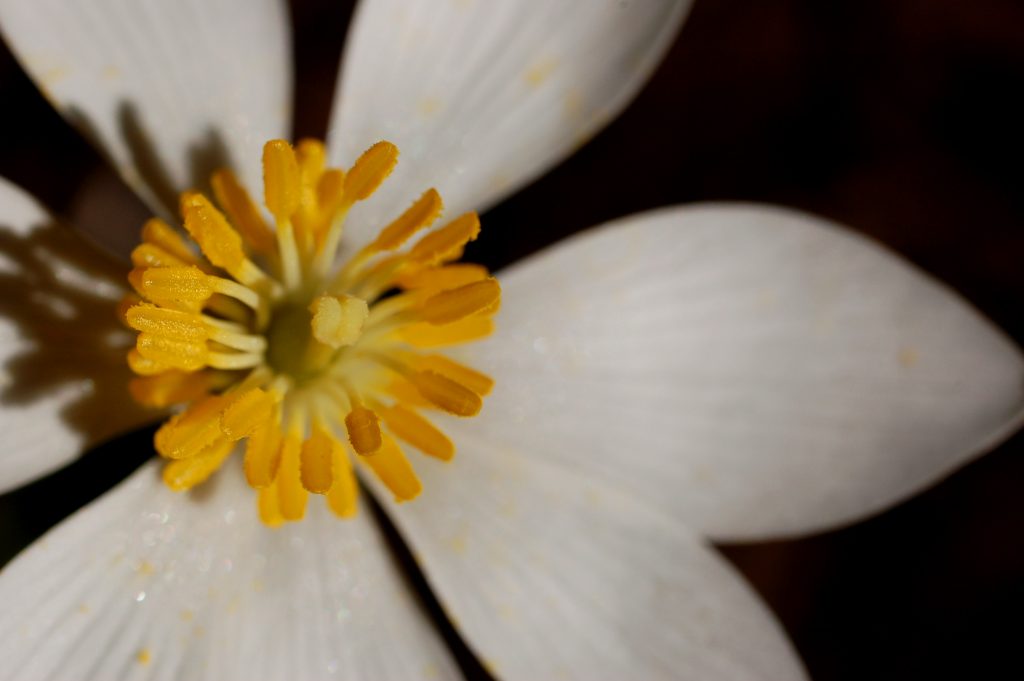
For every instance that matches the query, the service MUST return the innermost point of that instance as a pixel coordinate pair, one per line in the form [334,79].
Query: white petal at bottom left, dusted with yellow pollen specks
[198,586]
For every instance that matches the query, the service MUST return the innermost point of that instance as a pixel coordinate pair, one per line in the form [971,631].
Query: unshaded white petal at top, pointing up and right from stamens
[483,98]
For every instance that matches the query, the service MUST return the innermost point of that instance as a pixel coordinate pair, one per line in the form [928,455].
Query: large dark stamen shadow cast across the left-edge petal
[59,300]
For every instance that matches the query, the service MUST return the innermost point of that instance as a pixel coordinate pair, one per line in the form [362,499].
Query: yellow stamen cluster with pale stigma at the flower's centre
[266,343]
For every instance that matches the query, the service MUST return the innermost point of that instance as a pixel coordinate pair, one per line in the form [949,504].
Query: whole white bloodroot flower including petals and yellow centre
[693,374]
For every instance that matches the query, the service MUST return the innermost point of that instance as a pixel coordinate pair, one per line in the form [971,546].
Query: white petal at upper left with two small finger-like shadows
[169,91]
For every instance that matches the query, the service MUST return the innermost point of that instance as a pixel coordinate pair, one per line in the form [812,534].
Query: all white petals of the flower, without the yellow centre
[691,374]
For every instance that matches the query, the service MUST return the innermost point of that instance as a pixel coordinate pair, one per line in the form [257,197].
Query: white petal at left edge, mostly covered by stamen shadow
[63,373]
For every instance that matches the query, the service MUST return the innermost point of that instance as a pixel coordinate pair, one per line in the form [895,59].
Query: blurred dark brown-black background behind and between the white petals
[900,118]
